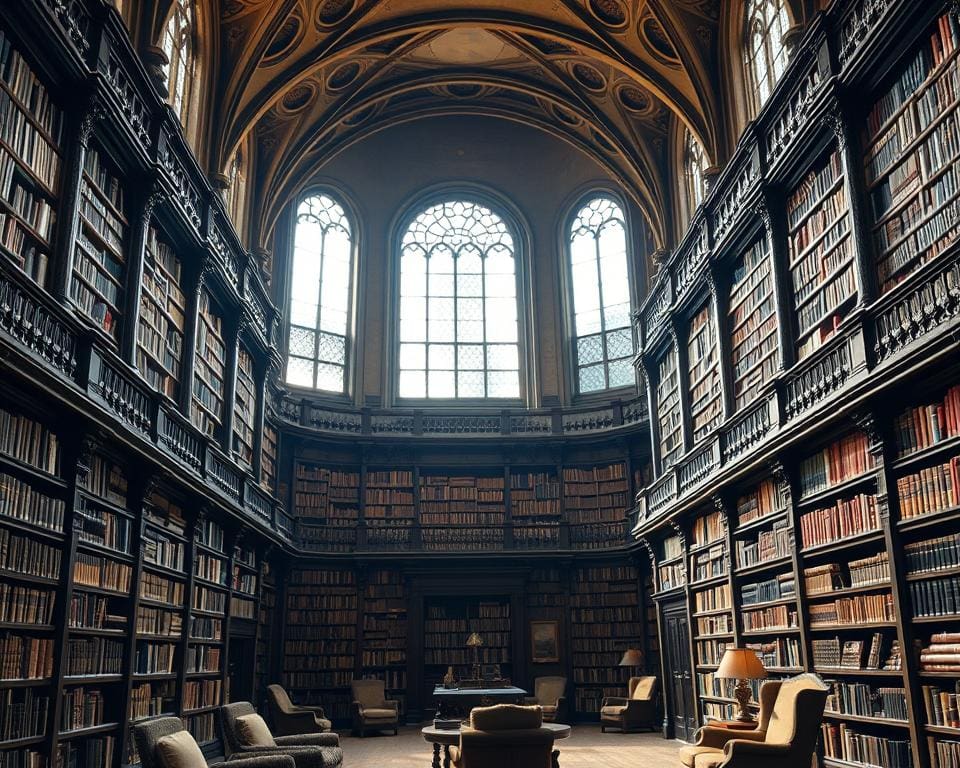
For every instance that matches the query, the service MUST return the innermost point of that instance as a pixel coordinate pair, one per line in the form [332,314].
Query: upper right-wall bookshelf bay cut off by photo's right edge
[910,154]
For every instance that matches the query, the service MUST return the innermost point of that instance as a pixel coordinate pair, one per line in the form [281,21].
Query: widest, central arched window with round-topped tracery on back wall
[459,330]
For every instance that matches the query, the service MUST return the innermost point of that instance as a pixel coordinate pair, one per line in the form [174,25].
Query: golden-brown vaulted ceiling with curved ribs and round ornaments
[306,78]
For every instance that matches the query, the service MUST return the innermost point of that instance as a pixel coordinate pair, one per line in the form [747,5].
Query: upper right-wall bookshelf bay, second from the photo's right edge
[821,265]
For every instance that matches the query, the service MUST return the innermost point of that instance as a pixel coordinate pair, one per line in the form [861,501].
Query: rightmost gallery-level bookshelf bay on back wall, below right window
[595,500]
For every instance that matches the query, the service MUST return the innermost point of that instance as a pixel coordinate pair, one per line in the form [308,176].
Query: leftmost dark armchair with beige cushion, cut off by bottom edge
[164,741]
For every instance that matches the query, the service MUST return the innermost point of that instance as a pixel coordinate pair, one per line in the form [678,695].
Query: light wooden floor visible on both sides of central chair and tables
[586,748]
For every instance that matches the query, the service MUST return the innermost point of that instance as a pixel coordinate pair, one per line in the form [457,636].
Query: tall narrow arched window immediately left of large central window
[320,296]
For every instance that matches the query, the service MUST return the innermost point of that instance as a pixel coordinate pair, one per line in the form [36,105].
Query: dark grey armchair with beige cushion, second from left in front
[246,734]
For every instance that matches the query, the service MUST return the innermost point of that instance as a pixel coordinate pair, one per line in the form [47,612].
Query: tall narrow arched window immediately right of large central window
[600,280]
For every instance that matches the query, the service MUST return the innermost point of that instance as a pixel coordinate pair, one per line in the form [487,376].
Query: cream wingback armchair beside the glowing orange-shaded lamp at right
[791,712]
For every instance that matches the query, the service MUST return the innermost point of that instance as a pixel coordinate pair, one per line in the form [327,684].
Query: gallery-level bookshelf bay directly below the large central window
[462,512]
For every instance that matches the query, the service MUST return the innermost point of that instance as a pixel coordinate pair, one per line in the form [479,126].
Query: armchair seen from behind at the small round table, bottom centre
[504,736]
